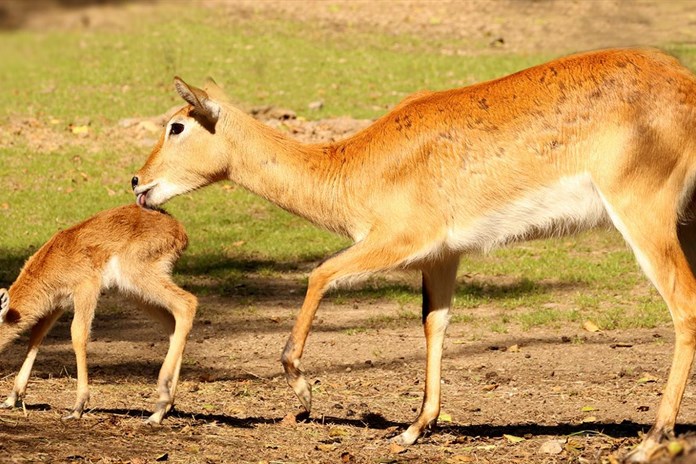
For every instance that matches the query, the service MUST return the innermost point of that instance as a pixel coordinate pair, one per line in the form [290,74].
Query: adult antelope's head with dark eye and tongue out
[190,153]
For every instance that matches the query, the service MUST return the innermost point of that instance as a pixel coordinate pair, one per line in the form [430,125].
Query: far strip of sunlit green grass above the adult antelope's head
[129,72]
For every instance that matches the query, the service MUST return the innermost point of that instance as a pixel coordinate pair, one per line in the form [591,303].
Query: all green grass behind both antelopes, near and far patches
[60,79]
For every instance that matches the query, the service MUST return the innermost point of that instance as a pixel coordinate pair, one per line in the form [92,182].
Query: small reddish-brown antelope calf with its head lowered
[130,249]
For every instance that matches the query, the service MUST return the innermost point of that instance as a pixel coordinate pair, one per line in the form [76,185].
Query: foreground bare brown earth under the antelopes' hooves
[504,395]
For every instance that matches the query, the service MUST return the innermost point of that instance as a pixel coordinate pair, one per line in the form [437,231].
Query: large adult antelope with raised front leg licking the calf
[607,137]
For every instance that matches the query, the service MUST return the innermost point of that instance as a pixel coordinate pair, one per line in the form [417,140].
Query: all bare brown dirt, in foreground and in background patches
[543,396]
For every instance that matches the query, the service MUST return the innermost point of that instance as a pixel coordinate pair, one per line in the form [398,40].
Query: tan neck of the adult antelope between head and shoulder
[303,179]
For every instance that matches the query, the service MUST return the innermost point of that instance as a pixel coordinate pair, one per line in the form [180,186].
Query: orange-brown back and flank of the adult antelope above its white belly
[465,152]
